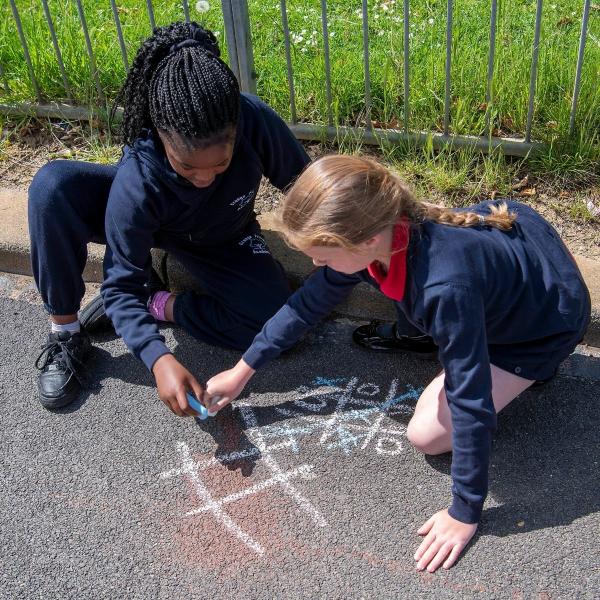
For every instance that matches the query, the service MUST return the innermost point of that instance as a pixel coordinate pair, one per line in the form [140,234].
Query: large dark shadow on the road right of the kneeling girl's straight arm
[546,457]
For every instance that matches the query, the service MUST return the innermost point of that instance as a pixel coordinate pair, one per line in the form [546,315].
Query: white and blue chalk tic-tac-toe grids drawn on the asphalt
[356,423]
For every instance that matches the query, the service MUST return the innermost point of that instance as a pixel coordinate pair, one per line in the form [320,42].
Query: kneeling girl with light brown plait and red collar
[493,285]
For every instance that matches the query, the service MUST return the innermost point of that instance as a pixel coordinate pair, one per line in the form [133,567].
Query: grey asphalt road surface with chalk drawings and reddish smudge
[306,488]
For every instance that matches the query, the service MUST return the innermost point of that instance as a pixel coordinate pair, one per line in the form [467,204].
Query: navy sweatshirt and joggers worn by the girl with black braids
[141,204]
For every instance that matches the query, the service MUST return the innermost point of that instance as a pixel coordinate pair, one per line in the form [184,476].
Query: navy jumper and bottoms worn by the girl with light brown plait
[513,299]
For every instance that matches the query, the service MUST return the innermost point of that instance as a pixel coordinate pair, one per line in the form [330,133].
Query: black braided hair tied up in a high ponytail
[177,84]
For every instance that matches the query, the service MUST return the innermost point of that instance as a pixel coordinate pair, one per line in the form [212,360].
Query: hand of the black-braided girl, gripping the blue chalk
[173,380]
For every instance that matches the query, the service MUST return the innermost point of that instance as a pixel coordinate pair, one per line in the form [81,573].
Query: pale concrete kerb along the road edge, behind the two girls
[364,303]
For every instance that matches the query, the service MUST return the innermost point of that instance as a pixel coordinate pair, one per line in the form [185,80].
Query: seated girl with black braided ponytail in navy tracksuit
[195,152]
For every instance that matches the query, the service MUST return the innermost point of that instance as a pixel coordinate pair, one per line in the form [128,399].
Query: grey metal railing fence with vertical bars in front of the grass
[237,23]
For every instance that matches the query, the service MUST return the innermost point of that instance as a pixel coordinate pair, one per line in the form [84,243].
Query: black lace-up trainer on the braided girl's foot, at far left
[61,363]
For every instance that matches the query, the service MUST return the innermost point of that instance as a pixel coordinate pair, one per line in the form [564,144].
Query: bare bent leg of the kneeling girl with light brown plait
[430,429]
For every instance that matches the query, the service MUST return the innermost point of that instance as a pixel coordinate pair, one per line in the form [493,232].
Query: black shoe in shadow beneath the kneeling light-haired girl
[380,337]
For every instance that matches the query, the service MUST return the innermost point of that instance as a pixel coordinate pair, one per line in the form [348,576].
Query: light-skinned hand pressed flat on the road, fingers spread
[445,539]
